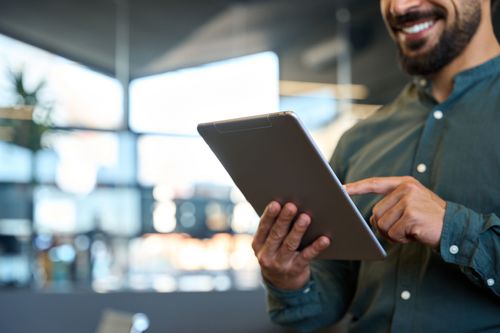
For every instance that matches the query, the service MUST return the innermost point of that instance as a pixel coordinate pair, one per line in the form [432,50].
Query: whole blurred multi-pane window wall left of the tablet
[149,208]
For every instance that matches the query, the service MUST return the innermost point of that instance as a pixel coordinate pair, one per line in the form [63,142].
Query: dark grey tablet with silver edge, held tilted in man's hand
[272,157]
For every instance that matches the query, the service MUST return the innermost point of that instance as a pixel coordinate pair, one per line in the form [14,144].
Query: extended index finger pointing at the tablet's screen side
[378,185]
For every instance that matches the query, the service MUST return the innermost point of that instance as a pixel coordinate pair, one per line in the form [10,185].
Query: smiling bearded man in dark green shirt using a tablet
[425,172]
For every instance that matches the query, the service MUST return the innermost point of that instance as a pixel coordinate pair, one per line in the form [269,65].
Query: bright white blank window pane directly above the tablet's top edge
[176,102]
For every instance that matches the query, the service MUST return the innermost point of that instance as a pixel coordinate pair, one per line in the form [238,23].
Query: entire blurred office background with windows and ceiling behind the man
[107,194]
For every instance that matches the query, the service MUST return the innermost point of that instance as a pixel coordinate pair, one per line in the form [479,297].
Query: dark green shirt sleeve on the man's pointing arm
[472,240]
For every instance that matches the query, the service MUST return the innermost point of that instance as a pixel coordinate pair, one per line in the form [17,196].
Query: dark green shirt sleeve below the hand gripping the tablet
[323,301]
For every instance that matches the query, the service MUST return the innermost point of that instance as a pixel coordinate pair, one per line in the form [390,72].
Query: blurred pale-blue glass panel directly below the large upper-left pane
[79,160]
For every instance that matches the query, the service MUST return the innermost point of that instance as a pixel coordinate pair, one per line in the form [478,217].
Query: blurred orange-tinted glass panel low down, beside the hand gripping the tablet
[177,262]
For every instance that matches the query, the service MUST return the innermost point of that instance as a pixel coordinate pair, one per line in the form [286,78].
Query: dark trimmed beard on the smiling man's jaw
[450,45]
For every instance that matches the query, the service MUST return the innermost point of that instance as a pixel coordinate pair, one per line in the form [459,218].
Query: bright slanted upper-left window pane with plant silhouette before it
[77,95]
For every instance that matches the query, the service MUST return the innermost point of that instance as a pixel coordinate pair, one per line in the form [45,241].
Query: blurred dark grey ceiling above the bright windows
[165,35]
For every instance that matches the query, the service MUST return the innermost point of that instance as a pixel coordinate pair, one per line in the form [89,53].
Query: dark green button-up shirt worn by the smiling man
[453,148]
